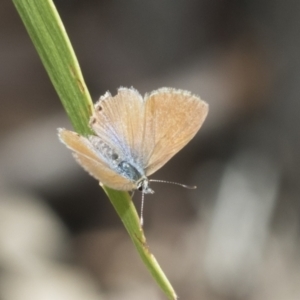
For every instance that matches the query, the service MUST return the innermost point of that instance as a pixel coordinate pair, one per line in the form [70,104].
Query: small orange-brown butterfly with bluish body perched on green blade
[135,136]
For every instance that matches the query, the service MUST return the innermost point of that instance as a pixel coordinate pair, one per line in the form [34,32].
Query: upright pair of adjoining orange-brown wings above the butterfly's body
[150,130]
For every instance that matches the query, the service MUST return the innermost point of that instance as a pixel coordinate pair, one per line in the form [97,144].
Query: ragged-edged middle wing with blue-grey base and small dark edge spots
[120,120]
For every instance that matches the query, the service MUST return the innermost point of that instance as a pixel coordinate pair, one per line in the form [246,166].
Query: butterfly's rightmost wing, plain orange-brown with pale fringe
[173,118]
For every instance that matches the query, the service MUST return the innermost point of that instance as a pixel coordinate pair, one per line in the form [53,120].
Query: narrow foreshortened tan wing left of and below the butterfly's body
[90,160]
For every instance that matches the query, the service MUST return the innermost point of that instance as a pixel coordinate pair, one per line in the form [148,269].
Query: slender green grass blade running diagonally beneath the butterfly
[50,39]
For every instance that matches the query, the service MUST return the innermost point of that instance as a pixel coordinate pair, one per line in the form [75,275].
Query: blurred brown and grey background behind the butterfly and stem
[238,235]
